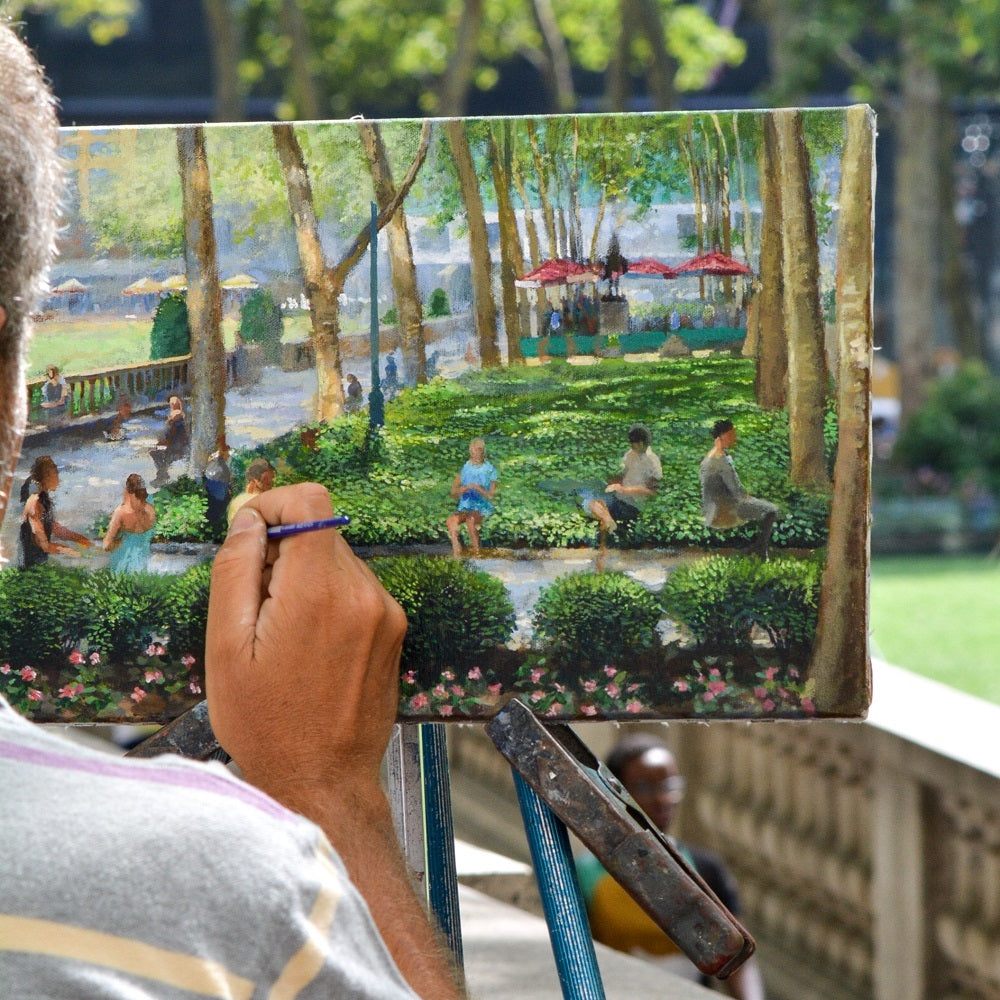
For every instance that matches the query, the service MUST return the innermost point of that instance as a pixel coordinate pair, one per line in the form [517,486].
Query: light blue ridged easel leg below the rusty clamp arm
[565,913]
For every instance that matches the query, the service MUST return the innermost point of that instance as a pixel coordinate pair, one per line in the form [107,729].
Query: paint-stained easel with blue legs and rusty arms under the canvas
[559,785]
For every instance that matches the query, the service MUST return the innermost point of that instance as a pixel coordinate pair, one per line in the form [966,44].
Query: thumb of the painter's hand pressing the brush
[236,591]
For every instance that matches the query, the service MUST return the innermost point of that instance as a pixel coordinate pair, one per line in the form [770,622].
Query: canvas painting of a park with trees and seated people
[597,406]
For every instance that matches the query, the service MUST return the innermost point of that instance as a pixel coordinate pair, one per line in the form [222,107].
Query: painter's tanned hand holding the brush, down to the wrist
[302,650]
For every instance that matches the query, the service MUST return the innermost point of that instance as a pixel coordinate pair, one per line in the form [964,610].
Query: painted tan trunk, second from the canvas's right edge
[800,254]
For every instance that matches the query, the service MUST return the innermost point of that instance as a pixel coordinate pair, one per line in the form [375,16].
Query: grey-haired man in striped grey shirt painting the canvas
[169,878]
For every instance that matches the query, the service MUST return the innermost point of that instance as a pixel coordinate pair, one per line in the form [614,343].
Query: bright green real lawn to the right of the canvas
[938,616]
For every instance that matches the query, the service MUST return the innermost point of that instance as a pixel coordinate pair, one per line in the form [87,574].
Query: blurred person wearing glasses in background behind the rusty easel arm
[649,773]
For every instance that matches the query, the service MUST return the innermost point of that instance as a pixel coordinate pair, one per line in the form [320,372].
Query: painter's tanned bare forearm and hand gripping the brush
[304,640]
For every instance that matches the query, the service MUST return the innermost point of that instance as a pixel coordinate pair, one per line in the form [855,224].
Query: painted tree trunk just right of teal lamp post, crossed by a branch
[402,267]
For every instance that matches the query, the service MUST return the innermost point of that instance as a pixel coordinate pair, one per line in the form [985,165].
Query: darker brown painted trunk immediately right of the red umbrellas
[768,310]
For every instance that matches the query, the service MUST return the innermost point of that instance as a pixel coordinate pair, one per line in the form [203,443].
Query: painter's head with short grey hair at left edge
[30,186]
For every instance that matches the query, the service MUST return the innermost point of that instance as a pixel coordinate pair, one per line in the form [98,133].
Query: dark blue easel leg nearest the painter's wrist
[442,876]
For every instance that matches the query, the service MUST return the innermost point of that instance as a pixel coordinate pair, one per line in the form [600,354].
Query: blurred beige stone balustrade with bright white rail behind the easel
[867,853]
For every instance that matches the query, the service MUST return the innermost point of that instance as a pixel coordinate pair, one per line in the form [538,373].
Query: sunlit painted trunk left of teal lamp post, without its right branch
[321,287]
